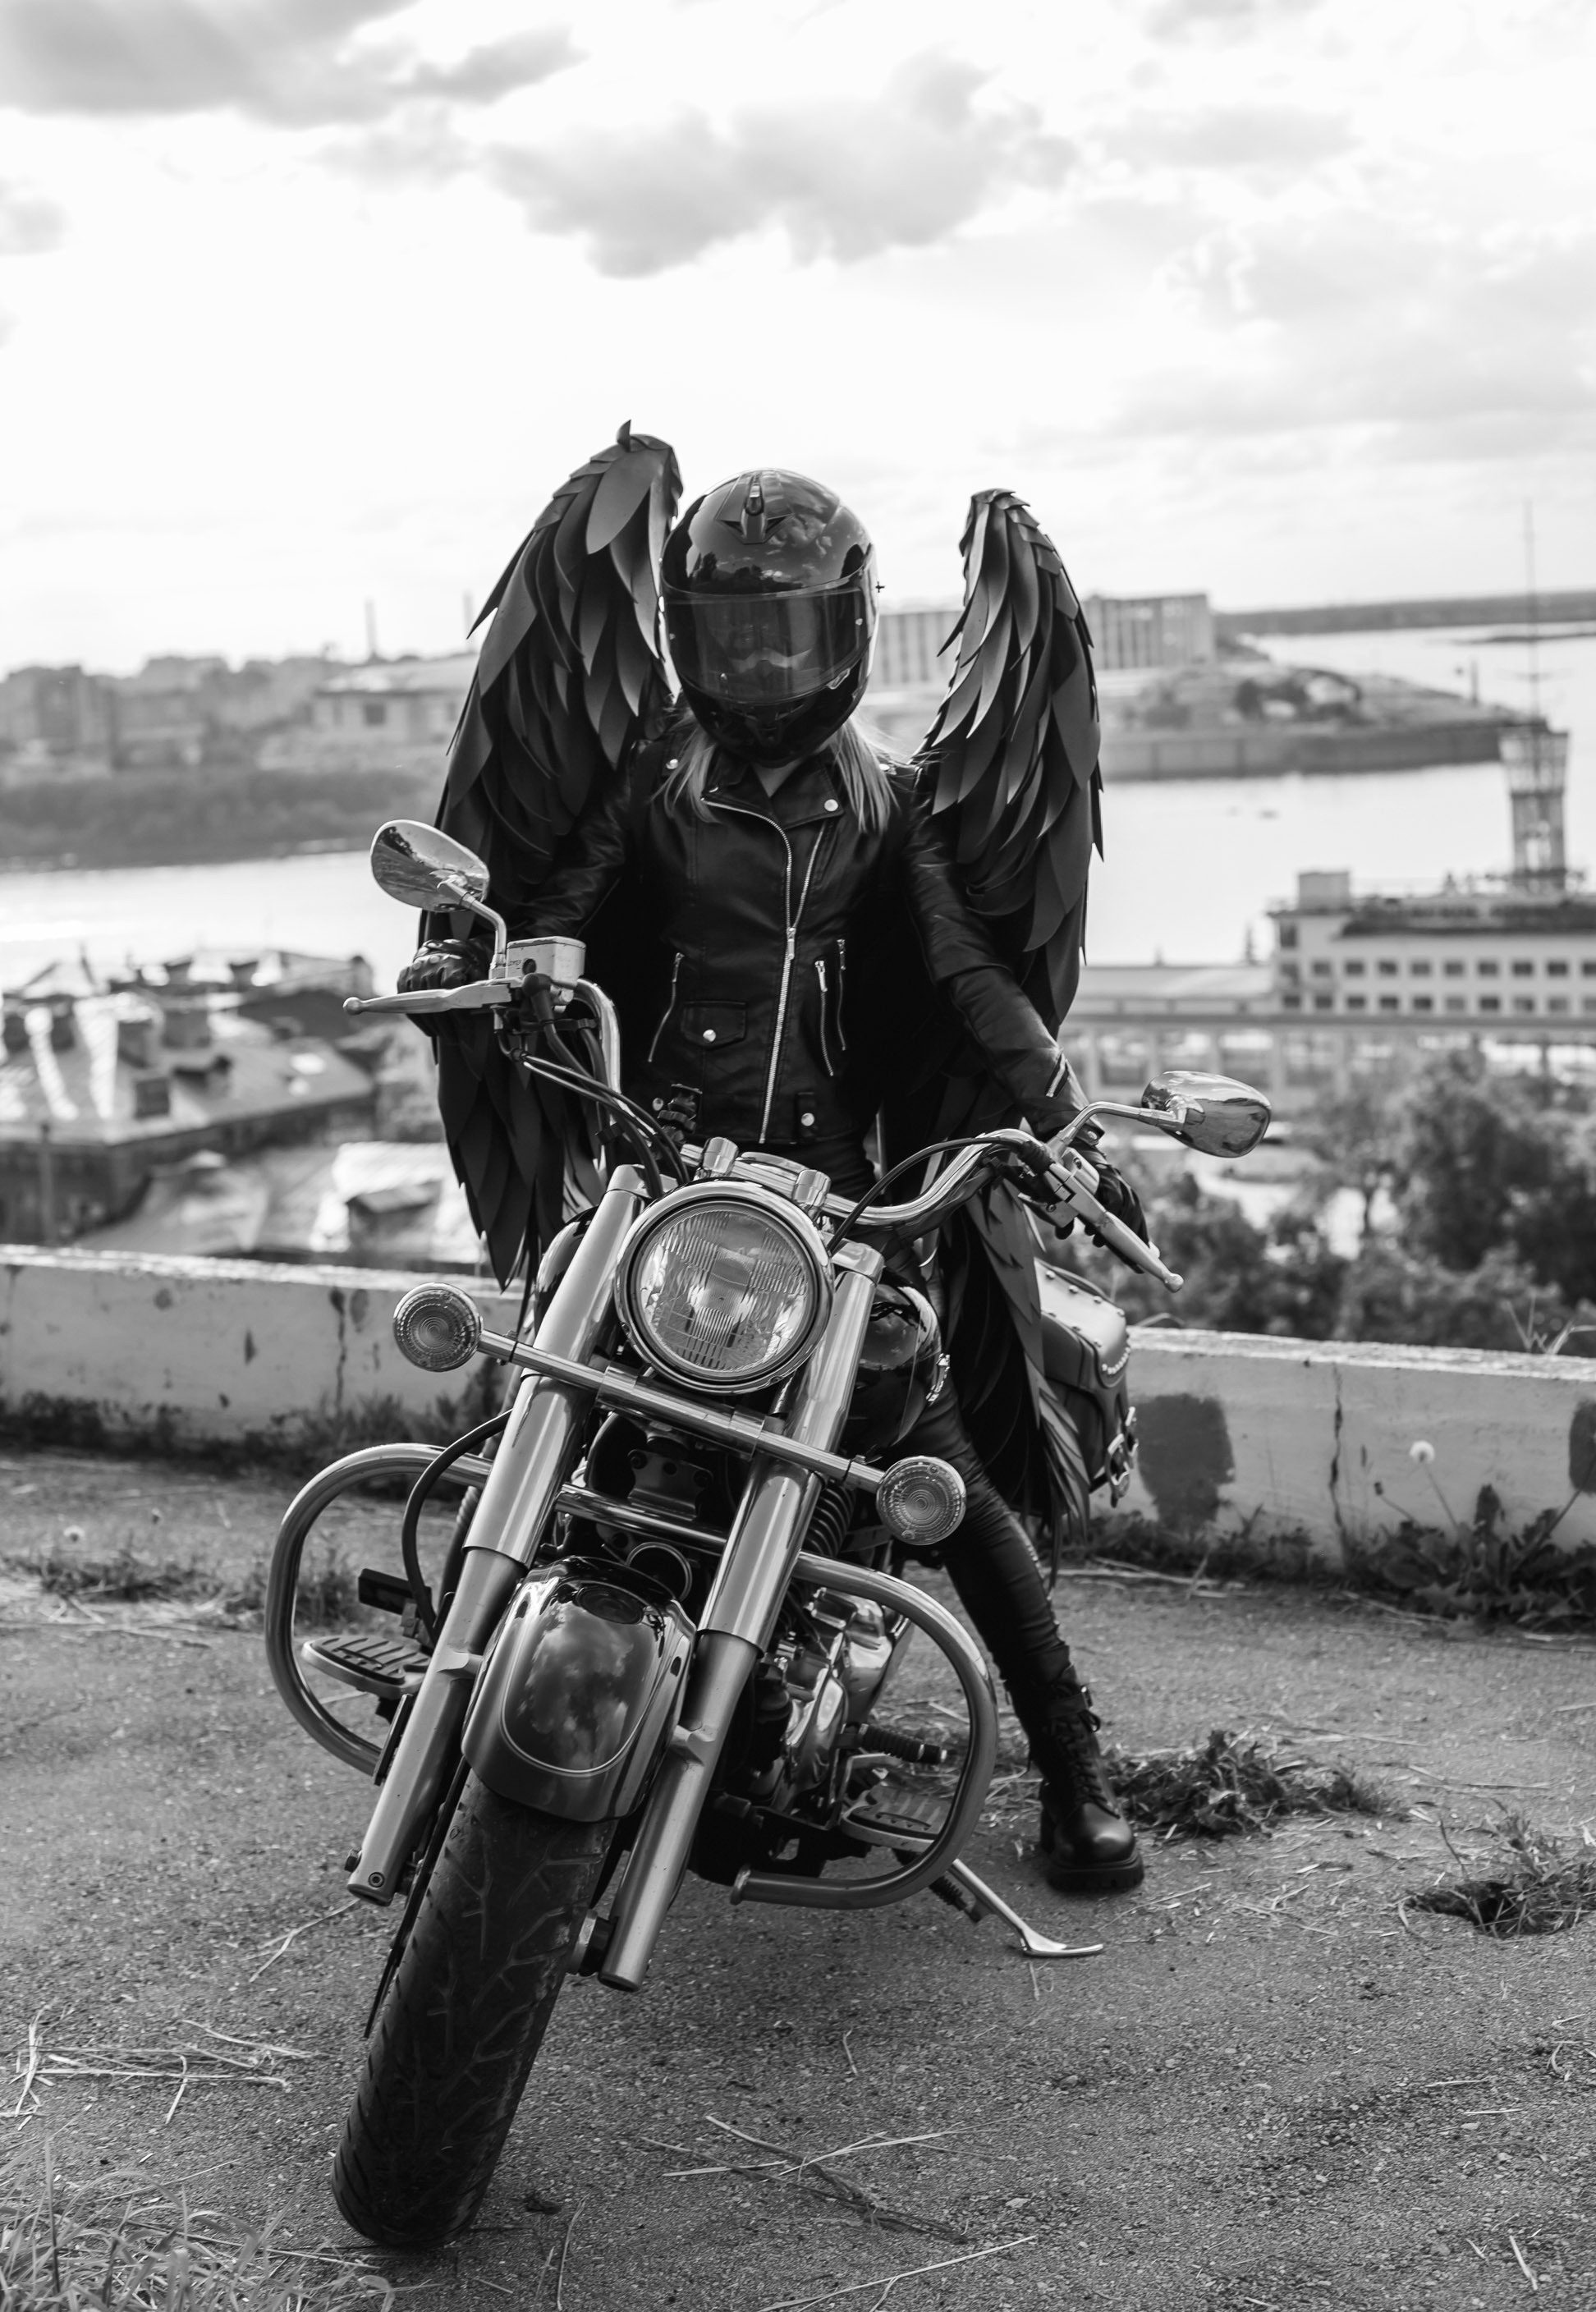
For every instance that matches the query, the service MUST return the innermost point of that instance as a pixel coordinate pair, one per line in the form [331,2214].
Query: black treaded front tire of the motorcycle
[466,2017]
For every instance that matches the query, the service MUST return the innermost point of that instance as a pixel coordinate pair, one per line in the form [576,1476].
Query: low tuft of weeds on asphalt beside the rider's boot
[1232,1784]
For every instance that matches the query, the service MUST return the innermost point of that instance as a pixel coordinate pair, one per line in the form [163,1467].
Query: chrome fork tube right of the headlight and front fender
[737,1624]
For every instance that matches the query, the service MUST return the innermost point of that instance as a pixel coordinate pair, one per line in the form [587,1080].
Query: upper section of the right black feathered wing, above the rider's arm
[1012,753]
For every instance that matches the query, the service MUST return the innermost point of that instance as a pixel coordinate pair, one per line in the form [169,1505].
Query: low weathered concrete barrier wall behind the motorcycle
[1280,1439]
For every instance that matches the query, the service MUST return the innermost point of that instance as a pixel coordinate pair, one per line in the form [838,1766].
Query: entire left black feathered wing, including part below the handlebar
[568,681]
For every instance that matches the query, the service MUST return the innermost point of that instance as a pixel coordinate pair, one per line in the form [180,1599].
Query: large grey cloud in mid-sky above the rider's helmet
[845,179]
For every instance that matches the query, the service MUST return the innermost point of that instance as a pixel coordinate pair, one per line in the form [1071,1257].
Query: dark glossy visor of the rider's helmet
[755,651]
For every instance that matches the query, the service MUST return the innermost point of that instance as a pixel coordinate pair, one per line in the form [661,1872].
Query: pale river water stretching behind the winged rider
[1190,870]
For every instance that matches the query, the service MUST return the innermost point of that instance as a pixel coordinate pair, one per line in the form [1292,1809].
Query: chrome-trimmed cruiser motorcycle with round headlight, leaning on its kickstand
[667,1613]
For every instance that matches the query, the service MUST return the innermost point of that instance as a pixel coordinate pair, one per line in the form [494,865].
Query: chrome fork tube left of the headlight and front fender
[512,1516]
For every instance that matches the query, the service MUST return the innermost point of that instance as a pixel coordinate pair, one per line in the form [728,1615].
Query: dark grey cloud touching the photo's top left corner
[281,61]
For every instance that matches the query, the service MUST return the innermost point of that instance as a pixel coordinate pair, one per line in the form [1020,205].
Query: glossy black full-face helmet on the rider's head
[769,595]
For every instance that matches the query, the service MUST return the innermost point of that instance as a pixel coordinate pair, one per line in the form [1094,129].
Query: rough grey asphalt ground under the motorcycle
[1271,2089]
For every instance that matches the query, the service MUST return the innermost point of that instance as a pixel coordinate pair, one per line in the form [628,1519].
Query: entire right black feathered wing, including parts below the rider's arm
[1012,773]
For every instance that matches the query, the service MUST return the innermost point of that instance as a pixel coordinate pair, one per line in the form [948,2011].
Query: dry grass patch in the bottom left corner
[119,2244]
